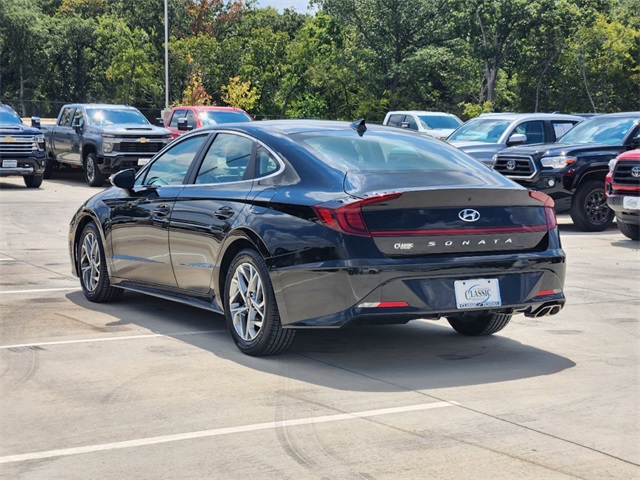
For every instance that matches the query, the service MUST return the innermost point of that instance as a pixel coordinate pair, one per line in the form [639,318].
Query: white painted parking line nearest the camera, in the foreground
[141,442]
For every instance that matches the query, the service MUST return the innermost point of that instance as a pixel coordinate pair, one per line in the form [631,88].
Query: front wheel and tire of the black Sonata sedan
[92,267]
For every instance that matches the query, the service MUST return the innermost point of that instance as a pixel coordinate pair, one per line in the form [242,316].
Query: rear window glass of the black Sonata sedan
[383,151]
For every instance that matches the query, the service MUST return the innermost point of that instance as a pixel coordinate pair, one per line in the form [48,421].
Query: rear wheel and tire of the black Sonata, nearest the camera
[255,328]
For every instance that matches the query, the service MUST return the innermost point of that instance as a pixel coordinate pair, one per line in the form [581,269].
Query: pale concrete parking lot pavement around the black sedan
[149,389]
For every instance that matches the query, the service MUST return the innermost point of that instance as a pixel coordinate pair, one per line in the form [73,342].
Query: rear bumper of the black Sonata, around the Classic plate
[332,296]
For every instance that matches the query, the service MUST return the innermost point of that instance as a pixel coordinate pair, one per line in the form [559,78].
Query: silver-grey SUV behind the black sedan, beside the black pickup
[484,136]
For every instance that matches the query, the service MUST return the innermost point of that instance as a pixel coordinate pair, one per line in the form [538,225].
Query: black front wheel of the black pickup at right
[589,210]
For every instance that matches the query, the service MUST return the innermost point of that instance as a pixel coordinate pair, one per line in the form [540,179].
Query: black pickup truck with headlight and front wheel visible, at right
[573,169]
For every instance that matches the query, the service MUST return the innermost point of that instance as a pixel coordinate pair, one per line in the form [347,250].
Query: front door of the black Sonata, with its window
[140,218]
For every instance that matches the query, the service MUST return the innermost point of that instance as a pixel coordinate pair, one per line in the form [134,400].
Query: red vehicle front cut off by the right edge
[622,187]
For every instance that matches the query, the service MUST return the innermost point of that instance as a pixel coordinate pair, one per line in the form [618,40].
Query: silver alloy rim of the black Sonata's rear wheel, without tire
[247,301]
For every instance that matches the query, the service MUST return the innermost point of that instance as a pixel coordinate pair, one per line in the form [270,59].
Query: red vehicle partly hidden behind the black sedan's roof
[185,118]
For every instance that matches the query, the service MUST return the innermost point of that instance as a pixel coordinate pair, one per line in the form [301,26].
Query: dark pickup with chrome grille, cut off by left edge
[22,151]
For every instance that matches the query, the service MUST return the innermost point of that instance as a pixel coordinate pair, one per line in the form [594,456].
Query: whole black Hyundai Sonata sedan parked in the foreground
[283,225]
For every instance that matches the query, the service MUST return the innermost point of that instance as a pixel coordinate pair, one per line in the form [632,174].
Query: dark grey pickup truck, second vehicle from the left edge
[102,139]
